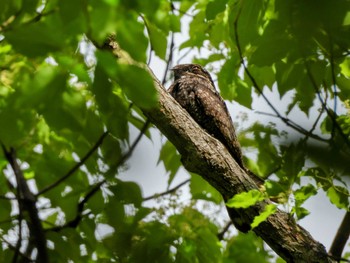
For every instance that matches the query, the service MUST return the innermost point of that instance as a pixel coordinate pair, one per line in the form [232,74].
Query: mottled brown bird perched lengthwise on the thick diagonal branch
[194,89]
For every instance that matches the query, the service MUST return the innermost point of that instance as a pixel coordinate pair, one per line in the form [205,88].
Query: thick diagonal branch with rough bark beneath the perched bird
[207,157]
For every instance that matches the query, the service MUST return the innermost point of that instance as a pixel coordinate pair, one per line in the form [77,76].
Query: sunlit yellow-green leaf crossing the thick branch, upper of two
[245,199]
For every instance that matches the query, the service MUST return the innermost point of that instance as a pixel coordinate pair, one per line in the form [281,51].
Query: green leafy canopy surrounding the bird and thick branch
[67,105]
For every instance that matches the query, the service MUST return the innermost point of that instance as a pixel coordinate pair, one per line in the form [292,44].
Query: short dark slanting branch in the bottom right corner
[341,238]
